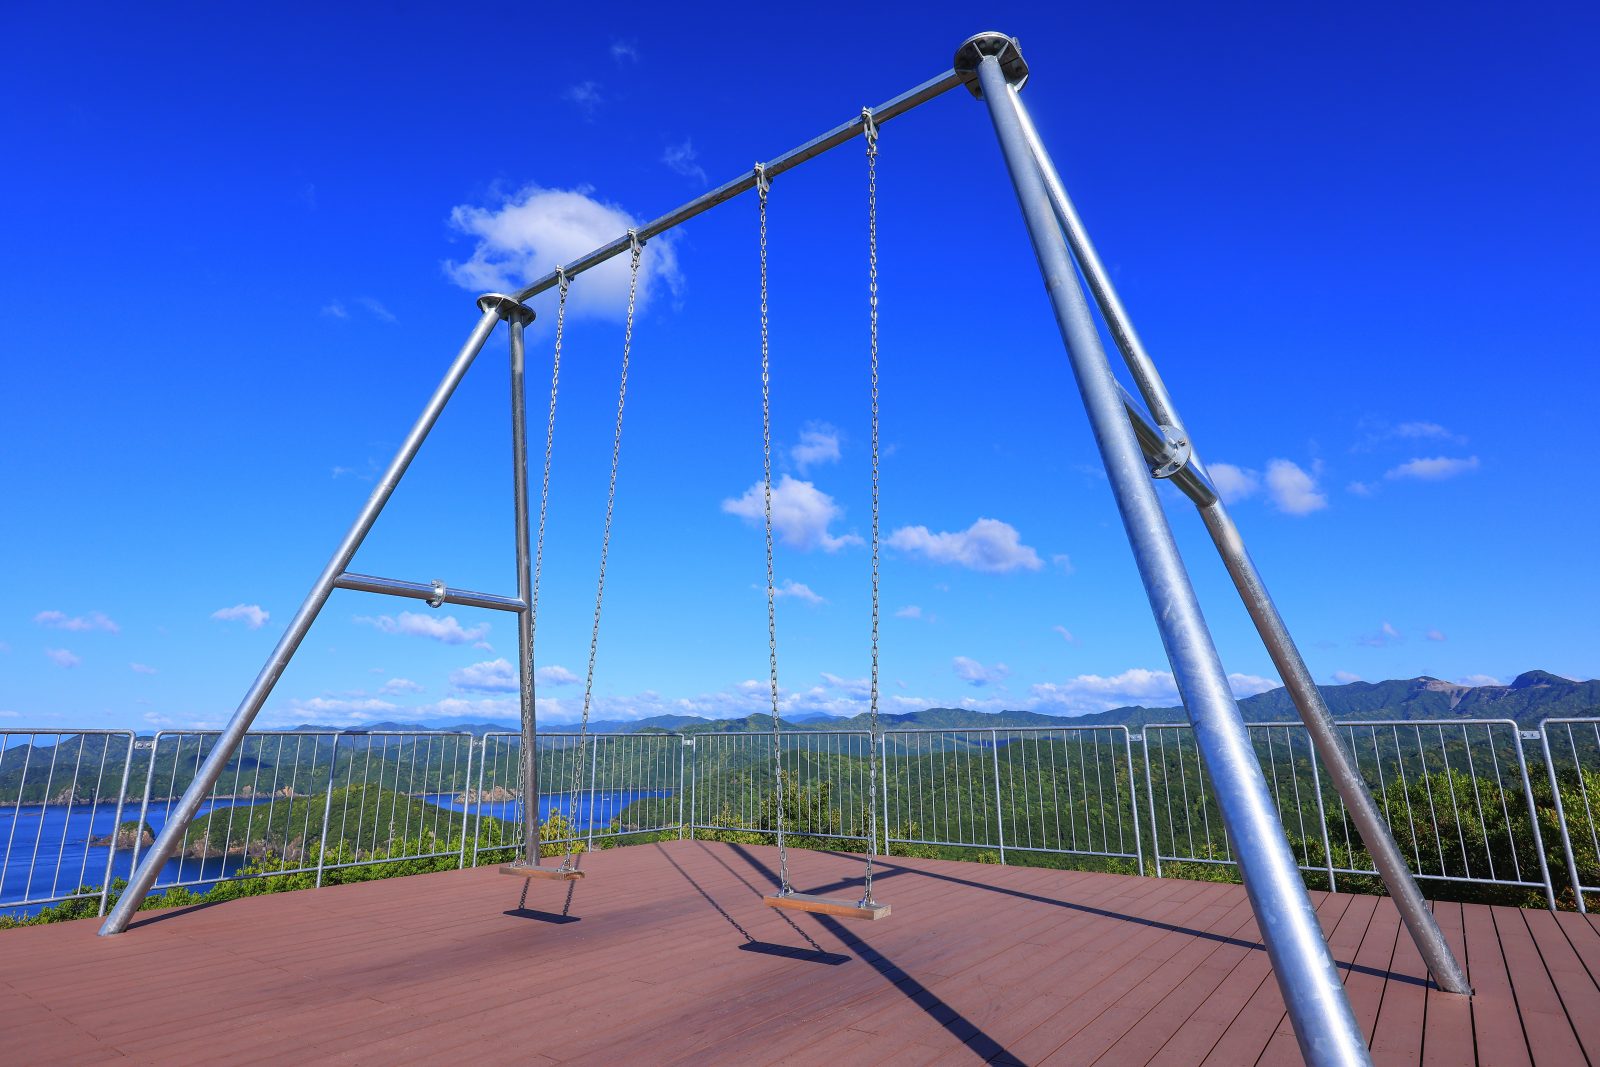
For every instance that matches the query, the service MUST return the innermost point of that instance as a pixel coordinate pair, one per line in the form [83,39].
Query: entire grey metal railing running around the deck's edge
[79,807]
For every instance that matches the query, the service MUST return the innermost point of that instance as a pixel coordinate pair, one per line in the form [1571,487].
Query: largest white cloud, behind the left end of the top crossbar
[538,230]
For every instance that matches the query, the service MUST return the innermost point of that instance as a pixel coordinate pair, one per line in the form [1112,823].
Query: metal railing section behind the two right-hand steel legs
[1457,796]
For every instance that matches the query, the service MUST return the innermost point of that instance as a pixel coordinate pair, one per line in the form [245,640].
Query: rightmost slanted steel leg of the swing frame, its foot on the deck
[1252,589]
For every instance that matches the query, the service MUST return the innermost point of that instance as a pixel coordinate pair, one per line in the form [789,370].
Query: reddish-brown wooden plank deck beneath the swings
[668,956]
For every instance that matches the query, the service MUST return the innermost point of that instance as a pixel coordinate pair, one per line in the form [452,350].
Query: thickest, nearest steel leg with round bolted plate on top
[1324,1023]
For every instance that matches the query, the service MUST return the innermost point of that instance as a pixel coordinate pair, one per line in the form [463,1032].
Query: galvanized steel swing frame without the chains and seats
[1138,442]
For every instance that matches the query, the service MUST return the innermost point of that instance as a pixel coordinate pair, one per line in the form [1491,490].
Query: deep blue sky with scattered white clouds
[241,254]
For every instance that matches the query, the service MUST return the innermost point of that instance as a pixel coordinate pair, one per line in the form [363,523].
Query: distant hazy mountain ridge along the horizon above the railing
[1530,698]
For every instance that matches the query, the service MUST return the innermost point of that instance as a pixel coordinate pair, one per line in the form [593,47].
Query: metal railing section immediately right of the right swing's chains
[1028,789]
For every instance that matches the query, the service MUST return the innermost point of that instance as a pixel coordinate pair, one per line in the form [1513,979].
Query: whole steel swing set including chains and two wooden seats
[1142,439]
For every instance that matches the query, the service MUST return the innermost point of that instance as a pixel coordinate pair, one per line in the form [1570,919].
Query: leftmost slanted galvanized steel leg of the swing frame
[234,733]
